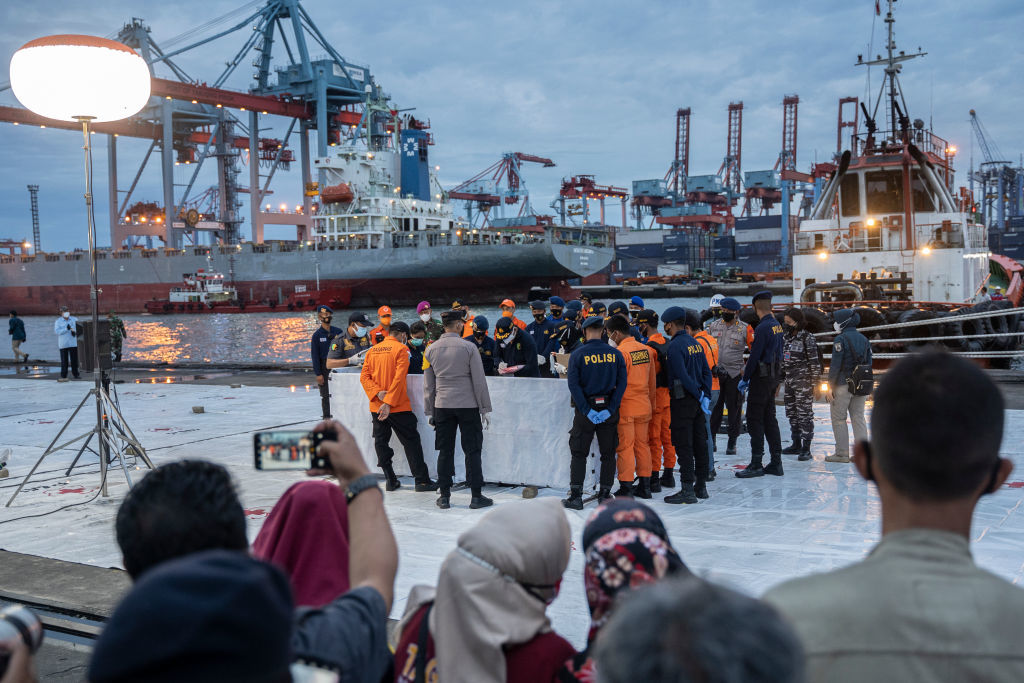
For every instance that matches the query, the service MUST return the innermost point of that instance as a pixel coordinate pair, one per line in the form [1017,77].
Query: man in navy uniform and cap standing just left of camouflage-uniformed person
[761,376]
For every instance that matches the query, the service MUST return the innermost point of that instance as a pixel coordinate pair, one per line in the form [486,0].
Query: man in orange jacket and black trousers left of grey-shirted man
[383,379]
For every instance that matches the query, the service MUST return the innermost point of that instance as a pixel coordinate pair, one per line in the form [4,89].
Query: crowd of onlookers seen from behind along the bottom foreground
[311,599]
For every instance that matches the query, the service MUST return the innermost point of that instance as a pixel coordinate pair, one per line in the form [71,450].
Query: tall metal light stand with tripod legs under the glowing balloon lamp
[114,438]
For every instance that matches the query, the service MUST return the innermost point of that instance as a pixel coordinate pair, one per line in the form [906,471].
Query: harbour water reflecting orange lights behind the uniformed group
[254,338]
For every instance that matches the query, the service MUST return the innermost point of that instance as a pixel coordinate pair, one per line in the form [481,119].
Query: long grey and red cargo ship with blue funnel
[386,233]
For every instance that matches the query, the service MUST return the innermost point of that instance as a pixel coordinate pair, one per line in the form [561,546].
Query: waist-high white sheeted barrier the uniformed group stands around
[527,444]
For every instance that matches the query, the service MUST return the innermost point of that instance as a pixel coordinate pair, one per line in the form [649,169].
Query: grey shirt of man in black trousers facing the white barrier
[454,377]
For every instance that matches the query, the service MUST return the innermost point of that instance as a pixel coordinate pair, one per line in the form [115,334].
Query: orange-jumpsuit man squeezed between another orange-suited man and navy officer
[663,454]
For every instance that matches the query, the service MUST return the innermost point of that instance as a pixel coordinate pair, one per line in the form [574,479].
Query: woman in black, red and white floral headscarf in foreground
[625,547]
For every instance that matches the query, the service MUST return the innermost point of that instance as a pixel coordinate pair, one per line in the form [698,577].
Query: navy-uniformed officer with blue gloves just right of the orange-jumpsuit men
[690,388]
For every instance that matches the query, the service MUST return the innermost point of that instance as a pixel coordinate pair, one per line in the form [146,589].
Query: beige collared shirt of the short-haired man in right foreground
[916,610]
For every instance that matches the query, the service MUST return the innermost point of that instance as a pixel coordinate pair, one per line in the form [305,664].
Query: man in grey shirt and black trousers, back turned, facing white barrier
[455,398]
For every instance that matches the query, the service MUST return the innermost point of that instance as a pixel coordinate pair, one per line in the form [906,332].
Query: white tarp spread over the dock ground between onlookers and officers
[751,535]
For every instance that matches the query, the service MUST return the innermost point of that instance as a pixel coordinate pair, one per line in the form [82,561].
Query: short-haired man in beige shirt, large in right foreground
[918,609]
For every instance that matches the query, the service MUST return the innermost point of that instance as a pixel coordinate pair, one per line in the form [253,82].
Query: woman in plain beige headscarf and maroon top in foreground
[486,622]
